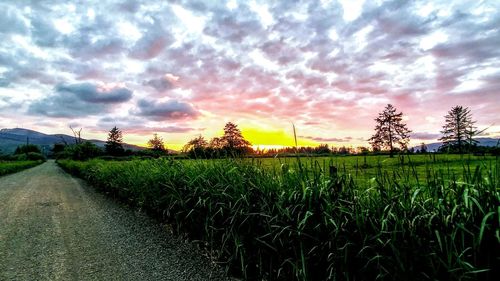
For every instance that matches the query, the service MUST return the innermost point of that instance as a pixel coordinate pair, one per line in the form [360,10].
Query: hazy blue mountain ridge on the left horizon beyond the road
[10,139]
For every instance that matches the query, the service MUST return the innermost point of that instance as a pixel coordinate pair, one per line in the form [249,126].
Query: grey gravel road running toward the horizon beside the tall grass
[55,227]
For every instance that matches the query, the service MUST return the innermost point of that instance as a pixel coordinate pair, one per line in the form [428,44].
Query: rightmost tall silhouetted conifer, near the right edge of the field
[458,129]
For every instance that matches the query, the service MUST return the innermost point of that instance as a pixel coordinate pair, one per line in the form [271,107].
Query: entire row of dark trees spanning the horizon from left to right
[391,136]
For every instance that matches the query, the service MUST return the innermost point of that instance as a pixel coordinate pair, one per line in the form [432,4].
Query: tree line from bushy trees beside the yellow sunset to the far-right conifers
[391,135]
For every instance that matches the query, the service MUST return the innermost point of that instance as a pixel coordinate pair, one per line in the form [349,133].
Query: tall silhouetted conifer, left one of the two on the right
[390,130]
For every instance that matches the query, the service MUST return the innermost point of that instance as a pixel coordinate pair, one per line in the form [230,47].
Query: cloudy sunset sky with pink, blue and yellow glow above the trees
[185,68]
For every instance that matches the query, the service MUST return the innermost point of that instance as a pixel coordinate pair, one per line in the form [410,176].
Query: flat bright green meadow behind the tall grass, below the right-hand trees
[365,169]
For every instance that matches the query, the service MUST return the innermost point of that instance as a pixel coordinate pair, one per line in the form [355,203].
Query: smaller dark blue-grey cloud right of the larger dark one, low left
[169,110]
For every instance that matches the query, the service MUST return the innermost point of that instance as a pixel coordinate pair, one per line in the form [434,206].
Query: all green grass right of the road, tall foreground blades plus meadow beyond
[417,218]
